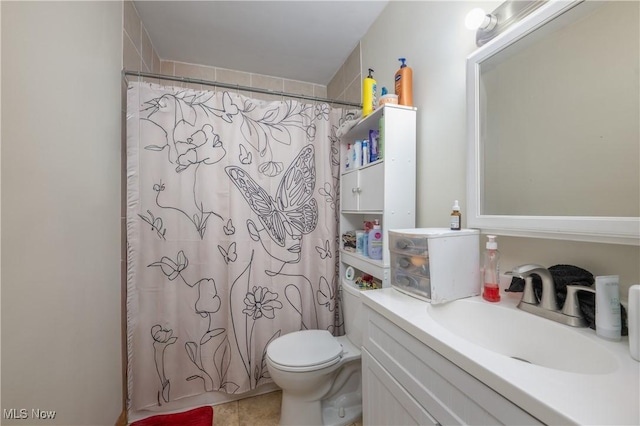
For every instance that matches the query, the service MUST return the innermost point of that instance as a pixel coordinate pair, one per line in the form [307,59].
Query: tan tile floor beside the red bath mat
[261,410]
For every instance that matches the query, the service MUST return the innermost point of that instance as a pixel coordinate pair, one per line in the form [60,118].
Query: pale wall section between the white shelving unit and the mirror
[433,38]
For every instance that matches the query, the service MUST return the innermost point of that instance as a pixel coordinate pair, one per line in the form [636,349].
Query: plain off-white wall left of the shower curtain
[61,107]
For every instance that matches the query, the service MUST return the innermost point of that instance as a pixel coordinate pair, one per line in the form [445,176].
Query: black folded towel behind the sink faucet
[564,275]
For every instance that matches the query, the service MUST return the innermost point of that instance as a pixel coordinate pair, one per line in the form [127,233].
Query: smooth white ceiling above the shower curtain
[299,40]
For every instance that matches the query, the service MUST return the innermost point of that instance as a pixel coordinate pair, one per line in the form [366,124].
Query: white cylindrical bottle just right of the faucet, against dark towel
[608,321]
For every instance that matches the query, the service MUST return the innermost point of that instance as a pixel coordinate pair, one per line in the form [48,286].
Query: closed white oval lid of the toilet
[307,349]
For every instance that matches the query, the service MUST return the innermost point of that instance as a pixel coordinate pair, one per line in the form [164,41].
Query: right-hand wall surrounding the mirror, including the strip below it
[433,38]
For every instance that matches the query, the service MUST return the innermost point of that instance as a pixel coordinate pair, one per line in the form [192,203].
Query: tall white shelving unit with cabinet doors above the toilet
[384,190]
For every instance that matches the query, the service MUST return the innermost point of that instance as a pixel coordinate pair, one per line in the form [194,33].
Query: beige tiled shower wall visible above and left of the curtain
[138,54]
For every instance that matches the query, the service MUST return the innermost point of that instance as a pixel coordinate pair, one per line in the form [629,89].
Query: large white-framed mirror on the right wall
[554,125]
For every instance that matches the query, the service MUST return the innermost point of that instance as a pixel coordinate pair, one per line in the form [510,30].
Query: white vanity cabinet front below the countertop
[406,382]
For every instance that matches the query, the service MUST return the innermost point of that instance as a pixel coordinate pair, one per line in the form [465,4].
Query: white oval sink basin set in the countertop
[522,336]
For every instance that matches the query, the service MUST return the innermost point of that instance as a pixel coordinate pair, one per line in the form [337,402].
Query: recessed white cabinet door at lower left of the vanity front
[385,402]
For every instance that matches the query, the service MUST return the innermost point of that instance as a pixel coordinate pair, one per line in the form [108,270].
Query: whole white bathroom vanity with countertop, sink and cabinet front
[417,369]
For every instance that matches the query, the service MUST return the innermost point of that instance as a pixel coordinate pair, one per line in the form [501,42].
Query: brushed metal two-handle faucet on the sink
[547,305]
